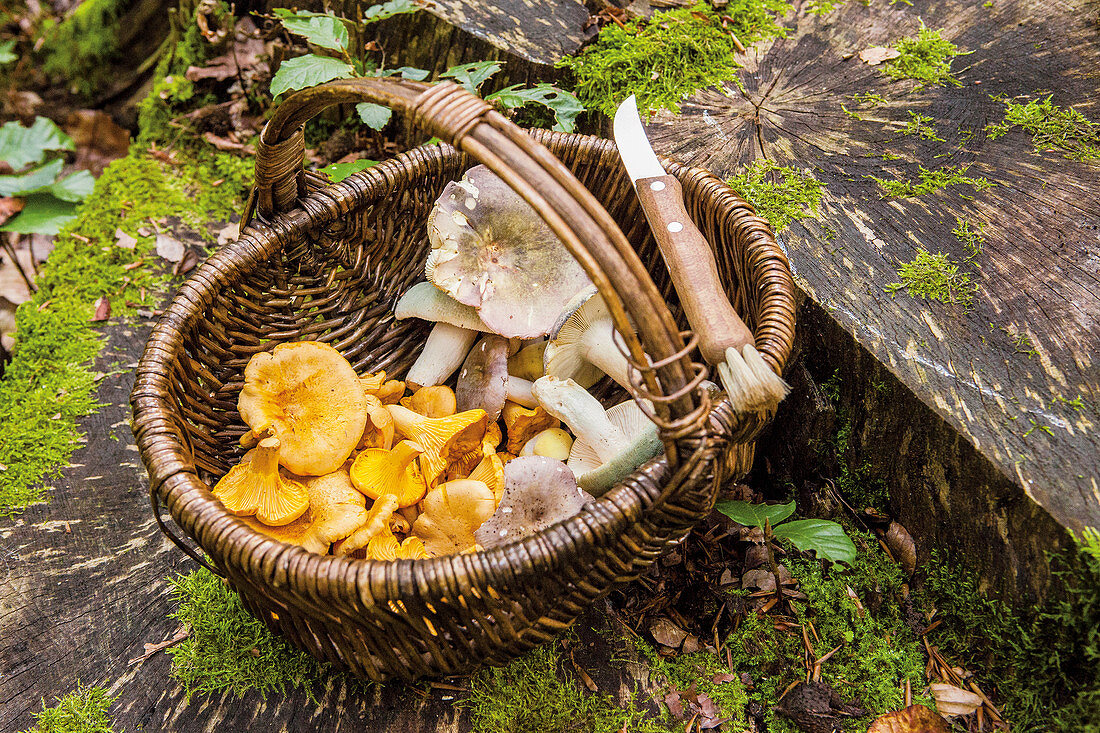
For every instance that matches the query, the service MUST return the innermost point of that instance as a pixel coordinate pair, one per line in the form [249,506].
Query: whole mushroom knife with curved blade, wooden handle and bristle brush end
[724,340]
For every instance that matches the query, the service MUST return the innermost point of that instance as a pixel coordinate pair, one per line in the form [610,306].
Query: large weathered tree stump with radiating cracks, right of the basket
[1016,374]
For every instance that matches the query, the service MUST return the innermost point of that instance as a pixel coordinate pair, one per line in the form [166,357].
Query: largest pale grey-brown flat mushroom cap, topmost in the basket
[491,250]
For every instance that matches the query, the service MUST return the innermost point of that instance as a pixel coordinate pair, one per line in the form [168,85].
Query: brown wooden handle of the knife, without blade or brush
[694,270]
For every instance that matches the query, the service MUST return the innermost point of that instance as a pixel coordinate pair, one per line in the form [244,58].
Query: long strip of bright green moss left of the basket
[50,384]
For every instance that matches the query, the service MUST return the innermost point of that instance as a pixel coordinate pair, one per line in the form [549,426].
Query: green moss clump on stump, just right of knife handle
[779,194]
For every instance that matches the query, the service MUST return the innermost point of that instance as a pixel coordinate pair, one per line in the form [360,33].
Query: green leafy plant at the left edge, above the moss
[37,154]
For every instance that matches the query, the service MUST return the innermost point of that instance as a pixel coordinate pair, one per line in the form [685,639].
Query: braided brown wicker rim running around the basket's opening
[598,524]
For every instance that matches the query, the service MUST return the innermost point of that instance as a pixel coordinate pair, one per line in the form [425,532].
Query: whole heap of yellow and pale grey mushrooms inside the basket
[371,473]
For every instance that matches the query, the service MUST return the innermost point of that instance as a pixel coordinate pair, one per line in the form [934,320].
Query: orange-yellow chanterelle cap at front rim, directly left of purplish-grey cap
[453,512]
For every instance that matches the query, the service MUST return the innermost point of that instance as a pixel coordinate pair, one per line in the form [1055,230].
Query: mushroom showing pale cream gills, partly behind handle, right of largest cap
[582,345]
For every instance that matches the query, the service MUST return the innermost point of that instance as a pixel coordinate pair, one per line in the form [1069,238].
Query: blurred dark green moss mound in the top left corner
[82,48]
